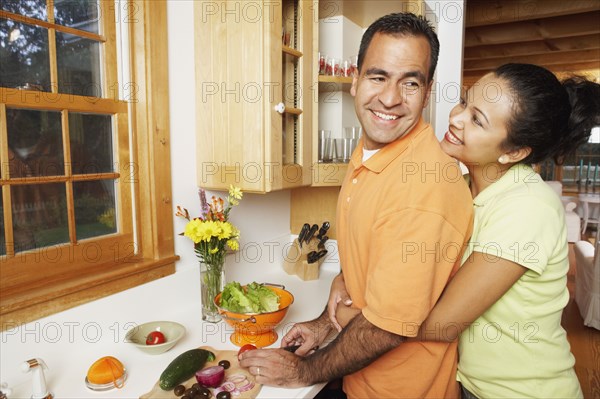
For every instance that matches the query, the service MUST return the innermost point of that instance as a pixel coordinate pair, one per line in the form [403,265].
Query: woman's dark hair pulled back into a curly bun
[550,117]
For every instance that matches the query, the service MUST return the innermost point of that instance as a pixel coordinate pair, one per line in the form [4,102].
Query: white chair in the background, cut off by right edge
[587,282]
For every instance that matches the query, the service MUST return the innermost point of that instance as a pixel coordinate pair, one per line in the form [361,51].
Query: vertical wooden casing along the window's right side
[149,61]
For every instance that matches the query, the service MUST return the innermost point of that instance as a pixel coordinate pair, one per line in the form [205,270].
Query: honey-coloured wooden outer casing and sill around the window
[21,302]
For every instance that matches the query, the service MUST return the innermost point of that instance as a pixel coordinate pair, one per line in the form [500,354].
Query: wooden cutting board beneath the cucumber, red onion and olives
[231,356]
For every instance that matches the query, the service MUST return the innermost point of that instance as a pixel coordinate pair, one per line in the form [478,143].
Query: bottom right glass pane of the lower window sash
[94,208]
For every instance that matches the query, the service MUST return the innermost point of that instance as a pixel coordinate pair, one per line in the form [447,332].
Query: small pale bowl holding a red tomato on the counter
[172,331]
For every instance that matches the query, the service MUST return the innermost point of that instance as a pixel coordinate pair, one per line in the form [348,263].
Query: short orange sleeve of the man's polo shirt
[412,256]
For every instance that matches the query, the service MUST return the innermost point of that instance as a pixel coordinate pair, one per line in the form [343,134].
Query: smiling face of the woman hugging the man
[478,124]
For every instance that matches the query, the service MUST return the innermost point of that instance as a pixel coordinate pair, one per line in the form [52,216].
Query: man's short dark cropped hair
[407,24]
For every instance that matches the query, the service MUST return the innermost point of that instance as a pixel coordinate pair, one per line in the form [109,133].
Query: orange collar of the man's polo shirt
[388,153]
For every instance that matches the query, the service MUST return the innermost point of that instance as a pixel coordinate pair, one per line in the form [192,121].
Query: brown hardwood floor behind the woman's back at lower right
[585,342]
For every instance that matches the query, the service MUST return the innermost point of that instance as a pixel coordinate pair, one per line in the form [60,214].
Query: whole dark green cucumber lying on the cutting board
[184,367]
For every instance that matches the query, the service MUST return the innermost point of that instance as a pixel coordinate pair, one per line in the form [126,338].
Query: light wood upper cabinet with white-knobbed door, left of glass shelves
[255,111]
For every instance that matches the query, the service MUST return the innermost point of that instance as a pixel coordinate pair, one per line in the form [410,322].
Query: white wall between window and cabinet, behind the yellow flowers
[260,218]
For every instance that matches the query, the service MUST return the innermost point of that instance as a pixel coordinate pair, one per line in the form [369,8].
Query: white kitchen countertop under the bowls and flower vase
[70,341]
